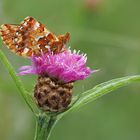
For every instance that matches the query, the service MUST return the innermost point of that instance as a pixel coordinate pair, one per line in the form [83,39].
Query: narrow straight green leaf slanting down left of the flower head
[27,97]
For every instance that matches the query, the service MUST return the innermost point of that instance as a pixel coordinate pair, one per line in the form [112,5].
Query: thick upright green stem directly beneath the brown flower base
[44,127]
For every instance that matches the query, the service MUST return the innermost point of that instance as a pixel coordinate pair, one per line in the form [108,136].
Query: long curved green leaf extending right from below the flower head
[100,90]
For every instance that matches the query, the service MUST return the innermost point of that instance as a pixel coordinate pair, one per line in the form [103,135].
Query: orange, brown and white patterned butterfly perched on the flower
[32,38]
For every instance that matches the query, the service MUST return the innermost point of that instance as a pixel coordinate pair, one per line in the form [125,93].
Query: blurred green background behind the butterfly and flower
[109,32]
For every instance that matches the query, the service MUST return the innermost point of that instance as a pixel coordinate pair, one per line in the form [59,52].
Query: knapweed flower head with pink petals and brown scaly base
[56,74]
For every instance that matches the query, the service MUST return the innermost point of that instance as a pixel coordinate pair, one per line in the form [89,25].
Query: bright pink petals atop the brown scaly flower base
[66,66]
